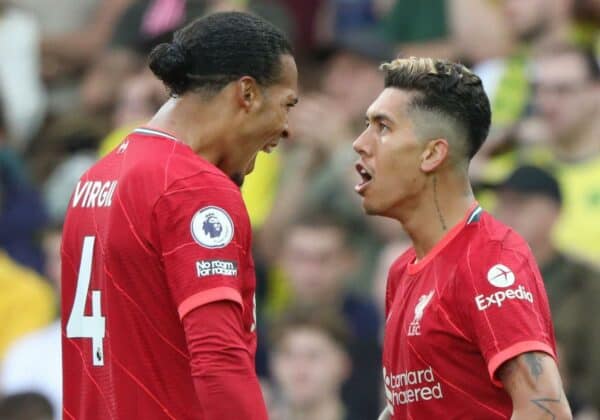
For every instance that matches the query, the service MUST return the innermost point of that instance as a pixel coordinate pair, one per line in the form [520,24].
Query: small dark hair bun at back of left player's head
[168,62]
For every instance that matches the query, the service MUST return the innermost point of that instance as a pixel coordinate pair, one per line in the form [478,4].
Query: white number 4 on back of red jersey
[79,325]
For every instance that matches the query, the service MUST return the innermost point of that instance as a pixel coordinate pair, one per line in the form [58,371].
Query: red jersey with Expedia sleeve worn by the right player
[475,301]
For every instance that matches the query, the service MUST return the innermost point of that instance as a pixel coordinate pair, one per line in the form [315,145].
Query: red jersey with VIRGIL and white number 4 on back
[152,232]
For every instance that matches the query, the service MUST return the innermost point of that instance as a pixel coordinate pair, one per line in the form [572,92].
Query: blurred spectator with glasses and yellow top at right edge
[567,131]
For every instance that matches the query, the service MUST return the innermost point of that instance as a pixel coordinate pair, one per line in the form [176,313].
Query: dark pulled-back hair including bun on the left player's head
[217,49]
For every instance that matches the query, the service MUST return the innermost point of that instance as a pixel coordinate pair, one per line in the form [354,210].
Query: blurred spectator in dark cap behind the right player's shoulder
[529,200]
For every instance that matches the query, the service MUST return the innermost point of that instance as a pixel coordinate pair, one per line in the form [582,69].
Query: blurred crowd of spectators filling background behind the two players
[74,82]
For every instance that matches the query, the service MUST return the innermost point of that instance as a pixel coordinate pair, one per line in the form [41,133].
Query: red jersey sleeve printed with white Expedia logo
[503,301]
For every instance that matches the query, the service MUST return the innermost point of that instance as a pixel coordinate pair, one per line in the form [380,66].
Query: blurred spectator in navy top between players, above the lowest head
[316,260]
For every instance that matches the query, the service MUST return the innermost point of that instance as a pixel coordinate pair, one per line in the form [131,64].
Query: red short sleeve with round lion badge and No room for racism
[203,235]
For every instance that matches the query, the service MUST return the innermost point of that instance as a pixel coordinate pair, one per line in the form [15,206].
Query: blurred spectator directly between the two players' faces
[318,165]
